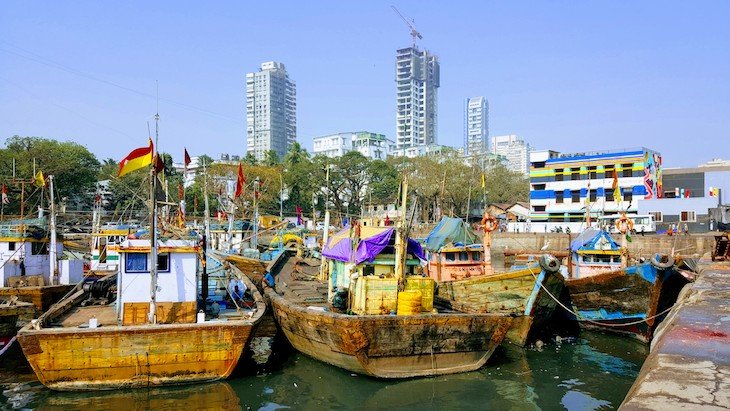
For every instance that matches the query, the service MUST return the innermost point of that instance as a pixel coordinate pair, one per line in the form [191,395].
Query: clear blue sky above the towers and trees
[565,75]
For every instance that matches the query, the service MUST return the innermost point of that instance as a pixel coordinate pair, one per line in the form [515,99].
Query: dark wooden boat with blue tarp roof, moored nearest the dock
[607,294]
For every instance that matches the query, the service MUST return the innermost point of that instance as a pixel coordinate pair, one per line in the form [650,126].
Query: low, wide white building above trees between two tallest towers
[372,145]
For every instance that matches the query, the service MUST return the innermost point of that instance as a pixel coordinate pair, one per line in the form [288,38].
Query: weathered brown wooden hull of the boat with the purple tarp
[392,346]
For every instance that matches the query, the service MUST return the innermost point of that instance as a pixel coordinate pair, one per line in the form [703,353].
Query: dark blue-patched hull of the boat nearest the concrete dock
[626,300]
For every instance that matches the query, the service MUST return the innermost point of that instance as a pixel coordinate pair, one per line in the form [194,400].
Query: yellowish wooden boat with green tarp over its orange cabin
[468,282]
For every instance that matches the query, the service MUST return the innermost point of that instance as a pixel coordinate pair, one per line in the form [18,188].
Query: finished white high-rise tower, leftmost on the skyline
[271,110]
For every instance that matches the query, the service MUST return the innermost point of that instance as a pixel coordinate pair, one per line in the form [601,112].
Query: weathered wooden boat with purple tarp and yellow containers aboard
[373,313]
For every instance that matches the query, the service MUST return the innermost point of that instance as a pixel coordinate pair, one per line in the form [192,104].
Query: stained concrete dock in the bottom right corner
[689,363]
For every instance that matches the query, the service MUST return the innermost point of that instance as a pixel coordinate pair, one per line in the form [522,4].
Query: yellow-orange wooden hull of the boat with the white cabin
[77,359]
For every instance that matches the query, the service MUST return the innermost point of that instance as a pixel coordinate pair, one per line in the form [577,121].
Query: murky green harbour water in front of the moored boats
[594,371]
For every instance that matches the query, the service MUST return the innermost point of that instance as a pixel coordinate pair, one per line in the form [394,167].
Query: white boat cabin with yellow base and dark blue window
[177,285]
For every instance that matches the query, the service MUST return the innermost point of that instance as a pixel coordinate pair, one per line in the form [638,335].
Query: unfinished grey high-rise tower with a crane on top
[417,82]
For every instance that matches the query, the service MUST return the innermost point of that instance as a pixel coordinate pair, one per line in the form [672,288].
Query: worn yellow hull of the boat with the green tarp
[521,293]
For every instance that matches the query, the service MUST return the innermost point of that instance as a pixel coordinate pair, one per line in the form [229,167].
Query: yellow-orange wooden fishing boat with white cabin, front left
[81,345]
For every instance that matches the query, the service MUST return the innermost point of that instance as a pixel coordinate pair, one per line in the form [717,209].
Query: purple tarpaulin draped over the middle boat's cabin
[340,245]
